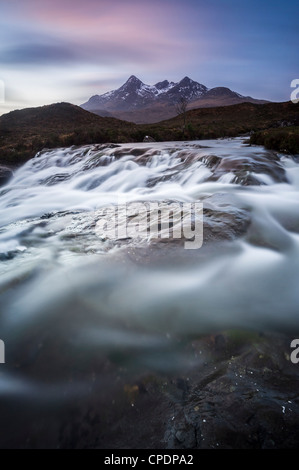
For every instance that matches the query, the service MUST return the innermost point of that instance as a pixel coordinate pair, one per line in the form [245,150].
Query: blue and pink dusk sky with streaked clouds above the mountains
[69,50]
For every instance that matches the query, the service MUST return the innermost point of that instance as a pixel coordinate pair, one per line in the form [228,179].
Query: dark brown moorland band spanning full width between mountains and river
[24,133]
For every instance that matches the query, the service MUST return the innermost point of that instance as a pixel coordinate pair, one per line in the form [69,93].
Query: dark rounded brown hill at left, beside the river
[25,132]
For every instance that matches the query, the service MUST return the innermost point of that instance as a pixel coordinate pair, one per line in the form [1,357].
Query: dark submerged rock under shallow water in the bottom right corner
[243,396]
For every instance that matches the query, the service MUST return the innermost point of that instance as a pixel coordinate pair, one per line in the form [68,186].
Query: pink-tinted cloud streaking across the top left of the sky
[148,26]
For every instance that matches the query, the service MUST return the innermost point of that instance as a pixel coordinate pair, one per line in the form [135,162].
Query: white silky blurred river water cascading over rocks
[71,300]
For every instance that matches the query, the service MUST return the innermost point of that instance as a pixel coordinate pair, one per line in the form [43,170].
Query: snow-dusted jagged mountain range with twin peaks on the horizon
[140,103]
